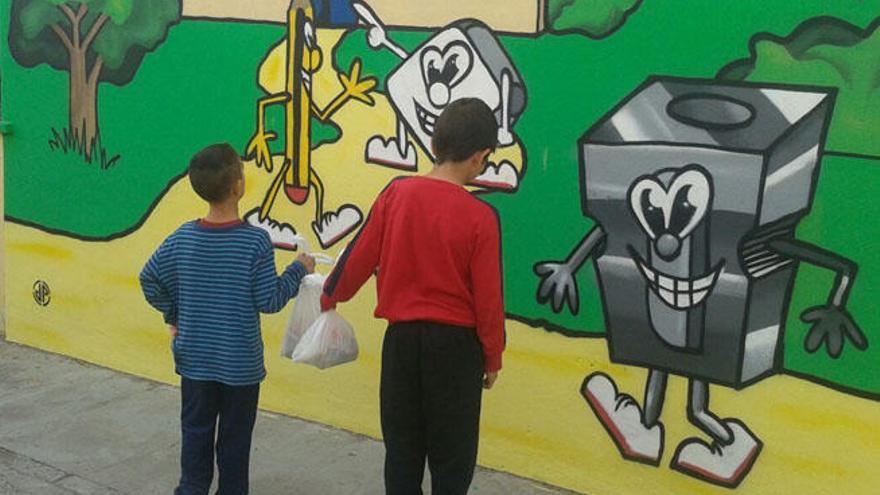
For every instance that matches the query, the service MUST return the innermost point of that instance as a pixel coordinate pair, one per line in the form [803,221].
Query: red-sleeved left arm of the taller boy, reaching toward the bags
[358,262]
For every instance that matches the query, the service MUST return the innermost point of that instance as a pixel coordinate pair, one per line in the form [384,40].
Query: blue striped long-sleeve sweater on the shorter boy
[213,283]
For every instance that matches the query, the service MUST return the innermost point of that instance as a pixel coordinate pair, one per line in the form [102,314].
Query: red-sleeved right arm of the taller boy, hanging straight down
[487,283]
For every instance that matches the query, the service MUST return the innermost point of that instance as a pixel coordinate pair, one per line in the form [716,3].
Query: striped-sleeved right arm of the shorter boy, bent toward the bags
[272,292]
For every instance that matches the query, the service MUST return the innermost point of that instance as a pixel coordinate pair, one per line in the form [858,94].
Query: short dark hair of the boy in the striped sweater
[213,171]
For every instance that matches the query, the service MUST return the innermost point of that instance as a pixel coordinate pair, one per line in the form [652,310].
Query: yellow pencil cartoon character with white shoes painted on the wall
[296,176]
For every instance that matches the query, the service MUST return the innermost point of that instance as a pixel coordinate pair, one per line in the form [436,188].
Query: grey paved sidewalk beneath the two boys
[72,428]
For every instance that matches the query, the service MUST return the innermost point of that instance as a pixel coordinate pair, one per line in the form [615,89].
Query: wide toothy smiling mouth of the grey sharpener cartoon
[678,293]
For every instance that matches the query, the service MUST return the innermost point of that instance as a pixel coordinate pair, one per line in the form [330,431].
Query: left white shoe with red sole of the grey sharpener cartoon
[622,418]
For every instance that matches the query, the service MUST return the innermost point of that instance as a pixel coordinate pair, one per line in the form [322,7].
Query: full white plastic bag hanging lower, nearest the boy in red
[328,342]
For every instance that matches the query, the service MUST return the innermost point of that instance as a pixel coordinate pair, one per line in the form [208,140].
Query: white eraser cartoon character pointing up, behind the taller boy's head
[465,59]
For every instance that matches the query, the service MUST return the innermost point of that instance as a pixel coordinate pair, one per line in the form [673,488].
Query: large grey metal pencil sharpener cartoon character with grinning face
[687,156]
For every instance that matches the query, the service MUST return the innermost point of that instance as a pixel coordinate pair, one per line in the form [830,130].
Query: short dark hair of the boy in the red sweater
[465,127]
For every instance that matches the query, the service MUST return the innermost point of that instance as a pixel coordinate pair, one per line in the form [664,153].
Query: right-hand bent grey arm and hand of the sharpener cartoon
[832,323]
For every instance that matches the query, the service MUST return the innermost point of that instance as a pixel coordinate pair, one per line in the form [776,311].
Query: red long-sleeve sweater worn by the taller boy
[437,249]
